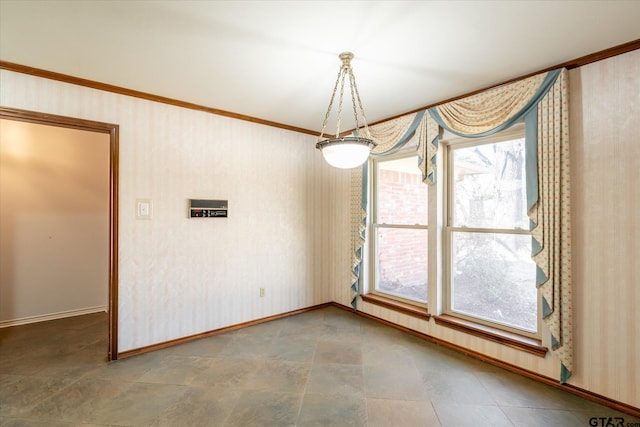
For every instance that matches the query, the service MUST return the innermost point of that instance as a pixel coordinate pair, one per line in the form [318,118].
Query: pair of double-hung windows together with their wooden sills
[481,258]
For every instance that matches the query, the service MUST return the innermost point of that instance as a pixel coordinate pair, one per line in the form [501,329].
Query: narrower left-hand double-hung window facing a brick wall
[399,229]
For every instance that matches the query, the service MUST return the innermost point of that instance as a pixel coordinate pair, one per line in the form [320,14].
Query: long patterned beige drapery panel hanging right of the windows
[551,217]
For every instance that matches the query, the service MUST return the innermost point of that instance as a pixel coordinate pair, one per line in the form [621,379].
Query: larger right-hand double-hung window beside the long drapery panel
[490,276]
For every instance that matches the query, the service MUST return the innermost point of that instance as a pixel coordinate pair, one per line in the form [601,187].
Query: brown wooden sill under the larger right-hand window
[509,339]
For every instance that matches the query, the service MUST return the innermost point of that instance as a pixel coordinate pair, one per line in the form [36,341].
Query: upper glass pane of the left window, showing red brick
[401,194]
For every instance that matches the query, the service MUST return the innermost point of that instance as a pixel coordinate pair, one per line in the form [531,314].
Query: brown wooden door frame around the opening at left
[113,131]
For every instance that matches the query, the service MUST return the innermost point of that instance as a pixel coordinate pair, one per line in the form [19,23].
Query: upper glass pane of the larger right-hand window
[489,186]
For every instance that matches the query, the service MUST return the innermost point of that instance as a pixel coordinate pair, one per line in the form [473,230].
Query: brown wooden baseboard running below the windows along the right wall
[569,388]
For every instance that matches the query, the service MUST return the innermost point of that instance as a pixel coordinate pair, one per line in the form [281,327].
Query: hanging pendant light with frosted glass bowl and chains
[347,151]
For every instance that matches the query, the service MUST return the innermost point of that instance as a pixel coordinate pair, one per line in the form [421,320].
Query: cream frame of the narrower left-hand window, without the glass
[373,227]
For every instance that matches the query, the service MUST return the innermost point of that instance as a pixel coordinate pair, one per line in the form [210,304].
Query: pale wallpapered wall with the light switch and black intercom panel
[179,276]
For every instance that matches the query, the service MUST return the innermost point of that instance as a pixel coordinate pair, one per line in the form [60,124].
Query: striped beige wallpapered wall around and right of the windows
[604,128]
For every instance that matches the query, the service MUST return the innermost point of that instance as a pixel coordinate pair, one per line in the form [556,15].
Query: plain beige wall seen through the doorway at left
[54,218]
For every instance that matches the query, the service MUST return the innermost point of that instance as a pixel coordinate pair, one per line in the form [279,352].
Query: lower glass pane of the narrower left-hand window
[401,267]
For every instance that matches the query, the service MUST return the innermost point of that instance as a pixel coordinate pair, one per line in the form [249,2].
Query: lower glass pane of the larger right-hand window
[493,277]
